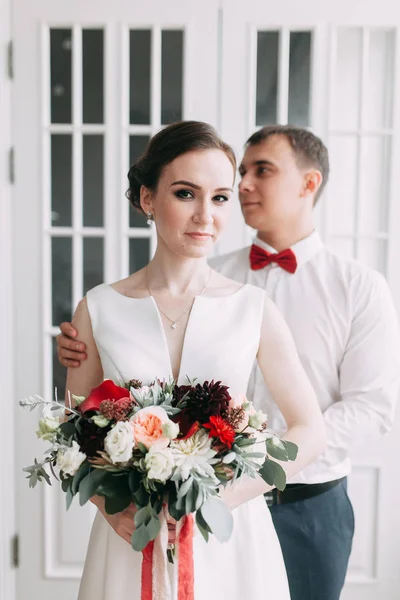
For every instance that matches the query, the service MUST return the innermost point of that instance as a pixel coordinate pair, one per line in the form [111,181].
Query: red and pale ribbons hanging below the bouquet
[156,584]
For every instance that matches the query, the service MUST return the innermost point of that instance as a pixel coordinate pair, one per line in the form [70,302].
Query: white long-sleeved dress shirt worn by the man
[343,321]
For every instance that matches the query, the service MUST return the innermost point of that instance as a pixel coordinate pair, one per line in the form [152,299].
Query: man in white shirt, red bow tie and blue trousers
[344,324]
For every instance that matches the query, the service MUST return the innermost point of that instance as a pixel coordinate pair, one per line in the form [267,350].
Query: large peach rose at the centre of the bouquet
[147,425]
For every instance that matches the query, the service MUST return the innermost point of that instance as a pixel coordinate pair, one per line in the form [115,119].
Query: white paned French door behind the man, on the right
[334,67]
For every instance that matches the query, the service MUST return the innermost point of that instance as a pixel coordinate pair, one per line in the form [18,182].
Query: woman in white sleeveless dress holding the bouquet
[176,318]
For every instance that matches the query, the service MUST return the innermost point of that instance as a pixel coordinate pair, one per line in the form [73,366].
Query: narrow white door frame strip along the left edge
[7,438]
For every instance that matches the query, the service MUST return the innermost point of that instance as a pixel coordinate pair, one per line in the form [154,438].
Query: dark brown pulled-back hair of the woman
[169,143]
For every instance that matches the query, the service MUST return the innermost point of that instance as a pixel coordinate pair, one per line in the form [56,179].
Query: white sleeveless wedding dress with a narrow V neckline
[221,343]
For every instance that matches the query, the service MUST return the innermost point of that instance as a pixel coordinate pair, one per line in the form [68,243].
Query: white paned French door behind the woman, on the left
[94,80]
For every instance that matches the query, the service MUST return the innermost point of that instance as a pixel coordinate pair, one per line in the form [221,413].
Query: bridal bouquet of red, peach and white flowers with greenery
[164,447]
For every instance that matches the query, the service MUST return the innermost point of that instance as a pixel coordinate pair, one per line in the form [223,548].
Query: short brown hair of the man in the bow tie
[308,149]
